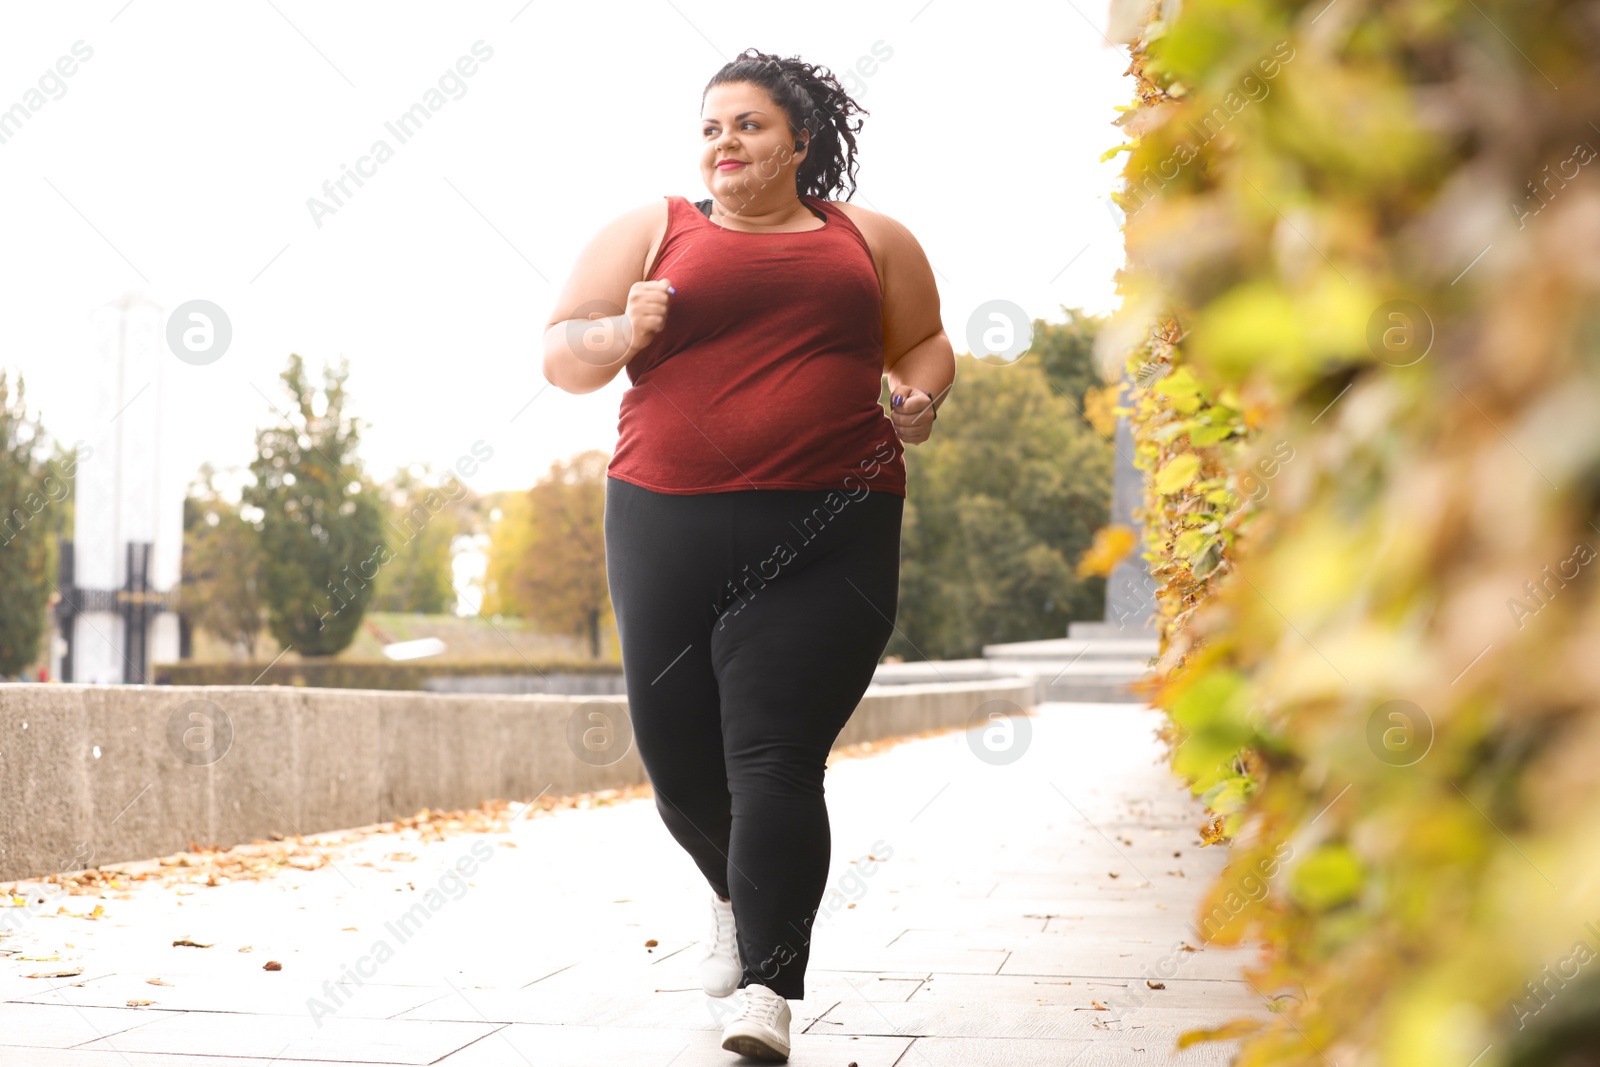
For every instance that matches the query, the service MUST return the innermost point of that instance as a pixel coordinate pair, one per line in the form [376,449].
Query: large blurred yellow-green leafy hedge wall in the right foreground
[1361,308]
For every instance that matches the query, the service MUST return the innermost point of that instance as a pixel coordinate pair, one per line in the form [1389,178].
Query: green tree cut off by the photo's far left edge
[26,546]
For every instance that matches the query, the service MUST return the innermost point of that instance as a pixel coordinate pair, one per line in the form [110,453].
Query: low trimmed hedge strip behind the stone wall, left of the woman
[364,674]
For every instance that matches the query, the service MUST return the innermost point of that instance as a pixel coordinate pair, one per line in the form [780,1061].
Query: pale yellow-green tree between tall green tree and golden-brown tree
[423,521]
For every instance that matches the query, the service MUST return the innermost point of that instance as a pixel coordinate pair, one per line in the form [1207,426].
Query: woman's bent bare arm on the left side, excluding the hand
[590,337]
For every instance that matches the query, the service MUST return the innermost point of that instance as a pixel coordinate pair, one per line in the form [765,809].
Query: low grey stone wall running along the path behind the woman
[105,775]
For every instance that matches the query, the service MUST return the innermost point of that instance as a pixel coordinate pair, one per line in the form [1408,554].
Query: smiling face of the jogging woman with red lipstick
[748,154]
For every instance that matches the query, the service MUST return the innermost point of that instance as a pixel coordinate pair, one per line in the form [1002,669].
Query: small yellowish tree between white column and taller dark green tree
[222,583]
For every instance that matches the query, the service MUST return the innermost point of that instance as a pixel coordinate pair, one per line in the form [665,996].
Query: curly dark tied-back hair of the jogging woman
[817,103]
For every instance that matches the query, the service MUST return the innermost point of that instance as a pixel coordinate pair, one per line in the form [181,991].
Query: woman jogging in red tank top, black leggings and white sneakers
[753,511]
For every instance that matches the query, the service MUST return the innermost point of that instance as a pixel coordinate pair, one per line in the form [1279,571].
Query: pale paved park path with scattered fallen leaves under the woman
[980,914]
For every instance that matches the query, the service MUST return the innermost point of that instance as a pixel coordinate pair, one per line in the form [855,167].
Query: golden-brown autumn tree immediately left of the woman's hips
[558,573]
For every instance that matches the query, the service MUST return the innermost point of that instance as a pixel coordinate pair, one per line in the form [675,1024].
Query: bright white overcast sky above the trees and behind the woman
[186,148]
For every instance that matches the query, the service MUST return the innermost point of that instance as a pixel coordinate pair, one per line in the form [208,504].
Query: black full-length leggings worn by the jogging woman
[751,625]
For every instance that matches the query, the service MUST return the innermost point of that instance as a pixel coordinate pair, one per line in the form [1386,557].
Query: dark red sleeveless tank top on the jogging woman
[769,370]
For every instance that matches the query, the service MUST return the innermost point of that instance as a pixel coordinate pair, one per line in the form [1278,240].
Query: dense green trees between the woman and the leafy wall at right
[1002,502]
